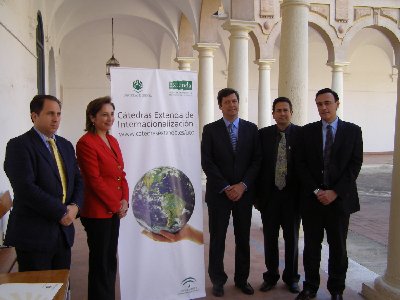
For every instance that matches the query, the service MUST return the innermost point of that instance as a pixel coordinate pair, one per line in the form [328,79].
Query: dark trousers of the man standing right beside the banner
[218,221]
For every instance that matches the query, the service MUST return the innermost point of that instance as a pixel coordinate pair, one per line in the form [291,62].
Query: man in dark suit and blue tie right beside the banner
[230,158]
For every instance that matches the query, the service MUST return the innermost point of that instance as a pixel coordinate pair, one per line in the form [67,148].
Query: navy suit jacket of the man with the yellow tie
[31,168]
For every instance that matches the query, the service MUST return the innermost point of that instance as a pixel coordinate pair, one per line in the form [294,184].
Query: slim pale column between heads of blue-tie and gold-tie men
[264,92]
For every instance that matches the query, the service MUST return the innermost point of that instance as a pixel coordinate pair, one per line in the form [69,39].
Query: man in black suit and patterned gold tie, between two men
[278,192]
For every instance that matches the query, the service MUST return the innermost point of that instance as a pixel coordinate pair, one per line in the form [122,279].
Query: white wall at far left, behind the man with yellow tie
[18,74]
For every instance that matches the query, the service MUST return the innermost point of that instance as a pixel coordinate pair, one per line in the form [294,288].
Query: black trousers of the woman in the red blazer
[102,239]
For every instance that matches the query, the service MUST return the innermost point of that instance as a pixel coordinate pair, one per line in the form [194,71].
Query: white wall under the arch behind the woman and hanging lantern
[84,54]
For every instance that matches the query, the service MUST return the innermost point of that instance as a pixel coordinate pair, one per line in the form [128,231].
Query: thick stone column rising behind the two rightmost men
[293,58]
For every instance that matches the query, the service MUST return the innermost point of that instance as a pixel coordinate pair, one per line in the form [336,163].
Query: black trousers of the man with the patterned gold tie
[281,211]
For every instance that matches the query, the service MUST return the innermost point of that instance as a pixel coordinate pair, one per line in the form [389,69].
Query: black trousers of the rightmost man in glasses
[336,224]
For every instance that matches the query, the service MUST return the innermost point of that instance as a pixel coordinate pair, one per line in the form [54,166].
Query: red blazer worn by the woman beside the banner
[104,177]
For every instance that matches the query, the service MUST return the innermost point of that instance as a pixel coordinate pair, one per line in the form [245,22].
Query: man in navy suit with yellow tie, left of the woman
[46,199]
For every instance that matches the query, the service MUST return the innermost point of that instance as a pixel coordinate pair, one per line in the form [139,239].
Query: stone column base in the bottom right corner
[379,290]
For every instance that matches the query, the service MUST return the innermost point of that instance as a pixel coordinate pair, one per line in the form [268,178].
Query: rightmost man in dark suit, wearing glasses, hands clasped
[329,163]
